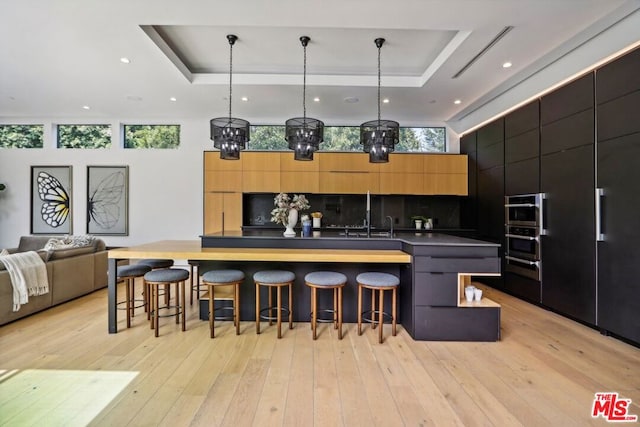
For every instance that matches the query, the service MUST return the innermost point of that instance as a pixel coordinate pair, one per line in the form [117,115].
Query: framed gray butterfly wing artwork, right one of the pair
[108,200]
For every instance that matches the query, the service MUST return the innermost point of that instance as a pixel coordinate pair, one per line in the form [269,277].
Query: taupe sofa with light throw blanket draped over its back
[72,272]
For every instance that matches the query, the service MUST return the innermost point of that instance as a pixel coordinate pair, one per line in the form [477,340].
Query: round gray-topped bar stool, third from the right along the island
[274,279]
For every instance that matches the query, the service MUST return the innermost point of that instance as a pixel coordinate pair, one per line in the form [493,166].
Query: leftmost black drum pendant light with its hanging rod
[229,134]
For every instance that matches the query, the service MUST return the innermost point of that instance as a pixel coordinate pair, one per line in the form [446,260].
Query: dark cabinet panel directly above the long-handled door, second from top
[620,116]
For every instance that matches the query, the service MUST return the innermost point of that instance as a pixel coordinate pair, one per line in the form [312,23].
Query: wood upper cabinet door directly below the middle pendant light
[298,176]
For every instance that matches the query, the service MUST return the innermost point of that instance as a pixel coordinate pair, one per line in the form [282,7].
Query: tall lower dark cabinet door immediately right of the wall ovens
[568,249]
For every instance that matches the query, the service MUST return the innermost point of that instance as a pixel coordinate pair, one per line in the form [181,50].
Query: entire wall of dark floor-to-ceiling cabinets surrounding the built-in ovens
[570,143]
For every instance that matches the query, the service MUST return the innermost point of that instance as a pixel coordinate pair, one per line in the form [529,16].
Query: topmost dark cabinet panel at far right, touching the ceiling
[619,77]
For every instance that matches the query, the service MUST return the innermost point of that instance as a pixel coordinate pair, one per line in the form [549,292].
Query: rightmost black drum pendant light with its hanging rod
[378,137]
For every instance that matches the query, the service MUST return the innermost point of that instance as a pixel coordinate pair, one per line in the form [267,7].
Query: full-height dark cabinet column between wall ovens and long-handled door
[567,172]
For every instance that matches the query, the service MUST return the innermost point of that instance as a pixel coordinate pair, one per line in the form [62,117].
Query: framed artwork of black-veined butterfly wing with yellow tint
[51,206]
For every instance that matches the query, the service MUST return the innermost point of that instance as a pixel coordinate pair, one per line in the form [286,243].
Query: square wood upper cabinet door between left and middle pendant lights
[260,172]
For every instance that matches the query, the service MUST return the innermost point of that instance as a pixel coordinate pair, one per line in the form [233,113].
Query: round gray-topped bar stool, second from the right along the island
[326,280]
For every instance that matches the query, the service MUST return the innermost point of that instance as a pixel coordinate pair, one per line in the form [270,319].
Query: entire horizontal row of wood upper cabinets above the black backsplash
[337,173]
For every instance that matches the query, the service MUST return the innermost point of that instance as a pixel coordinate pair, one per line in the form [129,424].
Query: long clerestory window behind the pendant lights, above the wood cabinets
[347,138]
